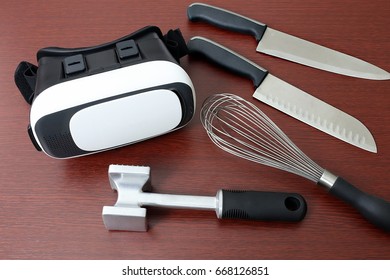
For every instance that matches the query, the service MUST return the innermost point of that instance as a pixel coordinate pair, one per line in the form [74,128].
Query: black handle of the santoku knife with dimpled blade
[227,59]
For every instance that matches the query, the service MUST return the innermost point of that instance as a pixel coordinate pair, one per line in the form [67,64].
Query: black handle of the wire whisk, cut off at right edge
[373,208]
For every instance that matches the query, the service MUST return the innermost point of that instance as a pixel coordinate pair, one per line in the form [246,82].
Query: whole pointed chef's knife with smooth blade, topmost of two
[285,46]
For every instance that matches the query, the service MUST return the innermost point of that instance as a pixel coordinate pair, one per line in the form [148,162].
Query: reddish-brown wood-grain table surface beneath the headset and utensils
[51,209]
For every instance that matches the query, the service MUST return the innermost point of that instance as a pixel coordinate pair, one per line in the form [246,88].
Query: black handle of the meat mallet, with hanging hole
[265,206]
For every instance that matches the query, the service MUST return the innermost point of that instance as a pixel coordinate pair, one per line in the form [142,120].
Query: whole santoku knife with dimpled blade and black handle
[287,98]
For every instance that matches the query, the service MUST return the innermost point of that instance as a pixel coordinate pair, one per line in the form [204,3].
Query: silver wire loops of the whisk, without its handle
[240,128]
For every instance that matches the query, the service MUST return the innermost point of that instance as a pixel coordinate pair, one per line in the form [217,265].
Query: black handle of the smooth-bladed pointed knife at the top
[226,19]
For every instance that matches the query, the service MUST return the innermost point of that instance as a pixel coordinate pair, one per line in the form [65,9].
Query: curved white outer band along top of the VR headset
[105,85]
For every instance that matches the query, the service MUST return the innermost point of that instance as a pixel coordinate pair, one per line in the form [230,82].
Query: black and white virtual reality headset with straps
[93,99]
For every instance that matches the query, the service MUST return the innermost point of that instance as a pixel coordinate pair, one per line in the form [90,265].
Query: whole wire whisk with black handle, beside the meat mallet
[240,128]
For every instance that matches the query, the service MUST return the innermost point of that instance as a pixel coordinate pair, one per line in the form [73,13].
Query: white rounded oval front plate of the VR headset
[126,120]
